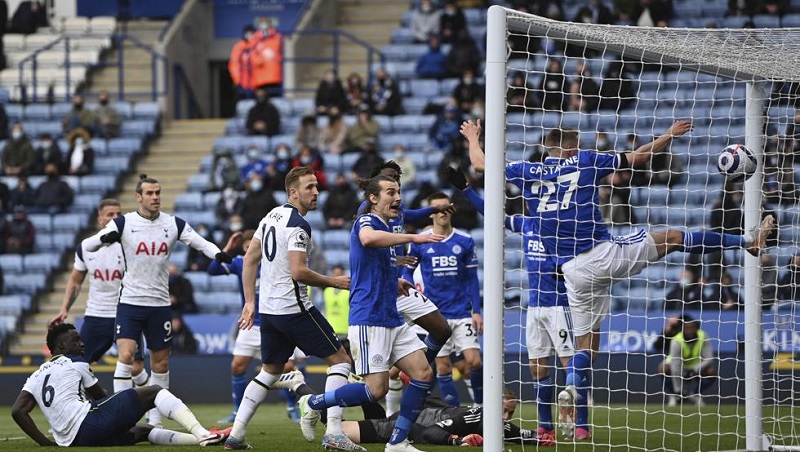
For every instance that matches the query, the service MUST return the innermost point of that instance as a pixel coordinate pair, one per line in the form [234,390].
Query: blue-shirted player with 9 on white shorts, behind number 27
[548,323]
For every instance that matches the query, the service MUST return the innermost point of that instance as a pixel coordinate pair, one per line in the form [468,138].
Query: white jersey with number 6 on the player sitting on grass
[59,387]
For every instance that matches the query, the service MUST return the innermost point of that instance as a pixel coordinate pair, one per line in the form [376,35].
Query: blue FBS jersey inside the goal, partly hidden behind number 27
[544,286]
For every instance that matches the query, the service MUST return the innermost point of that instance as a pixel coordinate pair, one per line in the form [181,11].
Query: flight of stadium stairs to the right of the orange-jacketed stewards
[371,21]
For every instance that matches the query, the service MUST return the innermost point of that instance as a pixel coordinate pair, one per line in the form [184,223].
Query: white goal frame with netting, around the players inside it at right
[620,87]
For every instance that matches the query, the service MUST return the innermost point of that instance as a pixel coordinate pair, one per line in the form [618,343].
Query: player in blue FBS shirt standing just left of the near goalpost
[450,275]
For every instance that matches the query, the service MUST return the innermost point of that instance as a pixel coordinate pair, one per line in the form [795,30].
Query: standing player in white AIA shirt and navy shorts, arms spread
[147,237]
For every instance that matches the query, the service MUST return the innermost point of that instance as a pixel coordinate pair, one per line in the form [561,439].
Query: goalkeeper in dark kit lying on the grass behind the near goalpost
[439,423]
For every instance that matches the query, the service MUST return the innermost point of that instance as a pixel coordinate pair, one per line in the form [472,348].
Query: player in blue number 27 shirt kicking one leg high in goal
[562,195]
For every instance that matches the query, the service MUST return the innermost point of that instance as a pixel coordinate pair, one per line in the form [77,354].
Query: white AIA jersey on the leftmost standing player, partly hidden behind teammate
[104,268]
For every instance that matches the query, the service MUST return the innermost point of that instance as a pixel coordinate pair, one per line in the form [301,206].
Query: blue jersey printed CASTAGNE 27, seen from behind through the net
[563,194]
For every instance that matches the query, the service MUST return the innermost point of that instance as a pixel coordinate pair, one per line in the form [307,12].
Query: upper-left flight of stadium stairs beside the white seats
[137,63]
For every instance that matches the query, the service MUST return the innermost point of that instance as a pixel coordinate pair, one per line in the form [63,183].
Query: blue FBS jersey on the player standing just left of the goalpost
[448,268]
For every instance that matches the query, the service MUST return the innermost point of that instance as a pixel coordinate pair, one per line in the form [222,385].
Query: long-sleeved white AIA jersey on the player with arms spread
[146,246]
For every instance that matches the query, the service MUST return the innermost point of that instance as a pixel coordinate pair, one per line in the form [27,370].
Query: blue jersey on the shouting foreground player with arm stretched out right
[373,278]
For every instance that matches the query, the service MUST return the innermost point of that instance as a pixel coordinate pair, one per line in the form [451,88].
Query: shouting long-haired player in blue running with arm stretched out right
[378,336]
